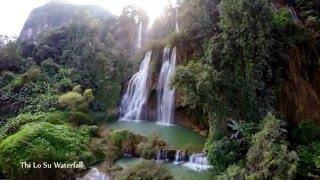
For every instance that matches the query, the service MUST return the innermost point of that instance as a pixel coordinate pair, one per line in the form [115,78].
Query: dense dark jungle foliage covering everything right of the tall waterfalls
[236,59]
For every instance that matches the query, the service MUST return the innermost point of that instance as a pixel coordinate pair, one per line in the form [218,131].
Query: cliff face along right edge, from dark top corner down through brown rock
[300,90]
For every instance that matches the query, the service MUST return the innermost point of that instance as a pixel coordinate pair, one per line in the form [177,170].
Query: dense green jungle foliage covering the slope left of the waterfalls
[55,89]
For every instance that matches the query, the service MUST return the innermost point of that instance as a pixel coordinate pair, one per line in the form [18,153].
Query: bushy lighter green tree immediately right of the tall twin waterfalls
[197,82]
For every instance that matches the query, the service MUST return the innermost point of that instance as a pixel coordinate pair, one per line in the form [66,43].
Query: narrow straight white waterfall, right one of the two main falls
[166,94]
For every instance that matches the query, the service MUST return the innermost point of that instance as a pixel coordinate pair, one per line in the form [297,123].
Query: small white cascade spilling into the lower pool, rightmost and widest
[198,162]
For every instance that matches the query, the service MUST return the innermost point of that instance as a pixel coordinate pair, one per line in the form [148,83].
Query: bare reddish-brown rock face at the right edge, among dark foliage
[300,99]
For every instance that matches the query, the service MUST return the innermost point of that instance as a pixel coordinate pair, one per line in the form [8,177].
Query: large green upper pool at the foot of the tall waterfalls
[177,136]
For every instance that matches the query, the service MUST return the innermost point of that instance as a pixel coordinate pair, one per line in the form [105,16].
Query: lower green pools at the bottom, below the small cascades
[179,172]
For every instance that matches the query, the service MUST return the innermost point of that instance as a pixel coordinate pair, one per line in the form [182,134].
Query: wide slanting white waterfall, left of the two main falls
[135,99]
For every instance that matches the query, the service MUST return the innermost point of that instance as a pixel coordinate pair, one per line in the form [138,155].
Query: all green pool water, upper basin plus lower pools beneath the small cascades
[177,136]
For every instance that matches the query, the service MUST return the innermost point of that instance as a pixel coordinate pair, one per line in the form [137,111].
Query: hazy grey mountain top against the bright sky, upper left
[55,14]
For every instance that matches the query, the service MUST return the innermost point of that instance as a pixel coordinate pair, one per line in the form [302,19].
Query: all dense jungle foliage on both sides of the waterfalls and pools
[248,68]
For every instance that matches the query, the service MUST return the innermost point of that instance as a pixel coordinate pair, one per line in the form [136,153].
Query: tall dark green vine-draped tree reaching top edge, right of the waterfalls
[245,43]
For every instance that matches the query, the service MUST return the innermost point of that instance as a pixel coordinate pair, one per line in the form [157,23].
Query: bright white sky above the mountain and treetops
[13,13]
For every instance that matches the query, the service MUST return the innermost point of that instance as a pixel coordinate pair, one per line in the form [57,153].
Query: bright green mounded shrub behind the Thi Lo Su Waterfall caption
[42,142]
